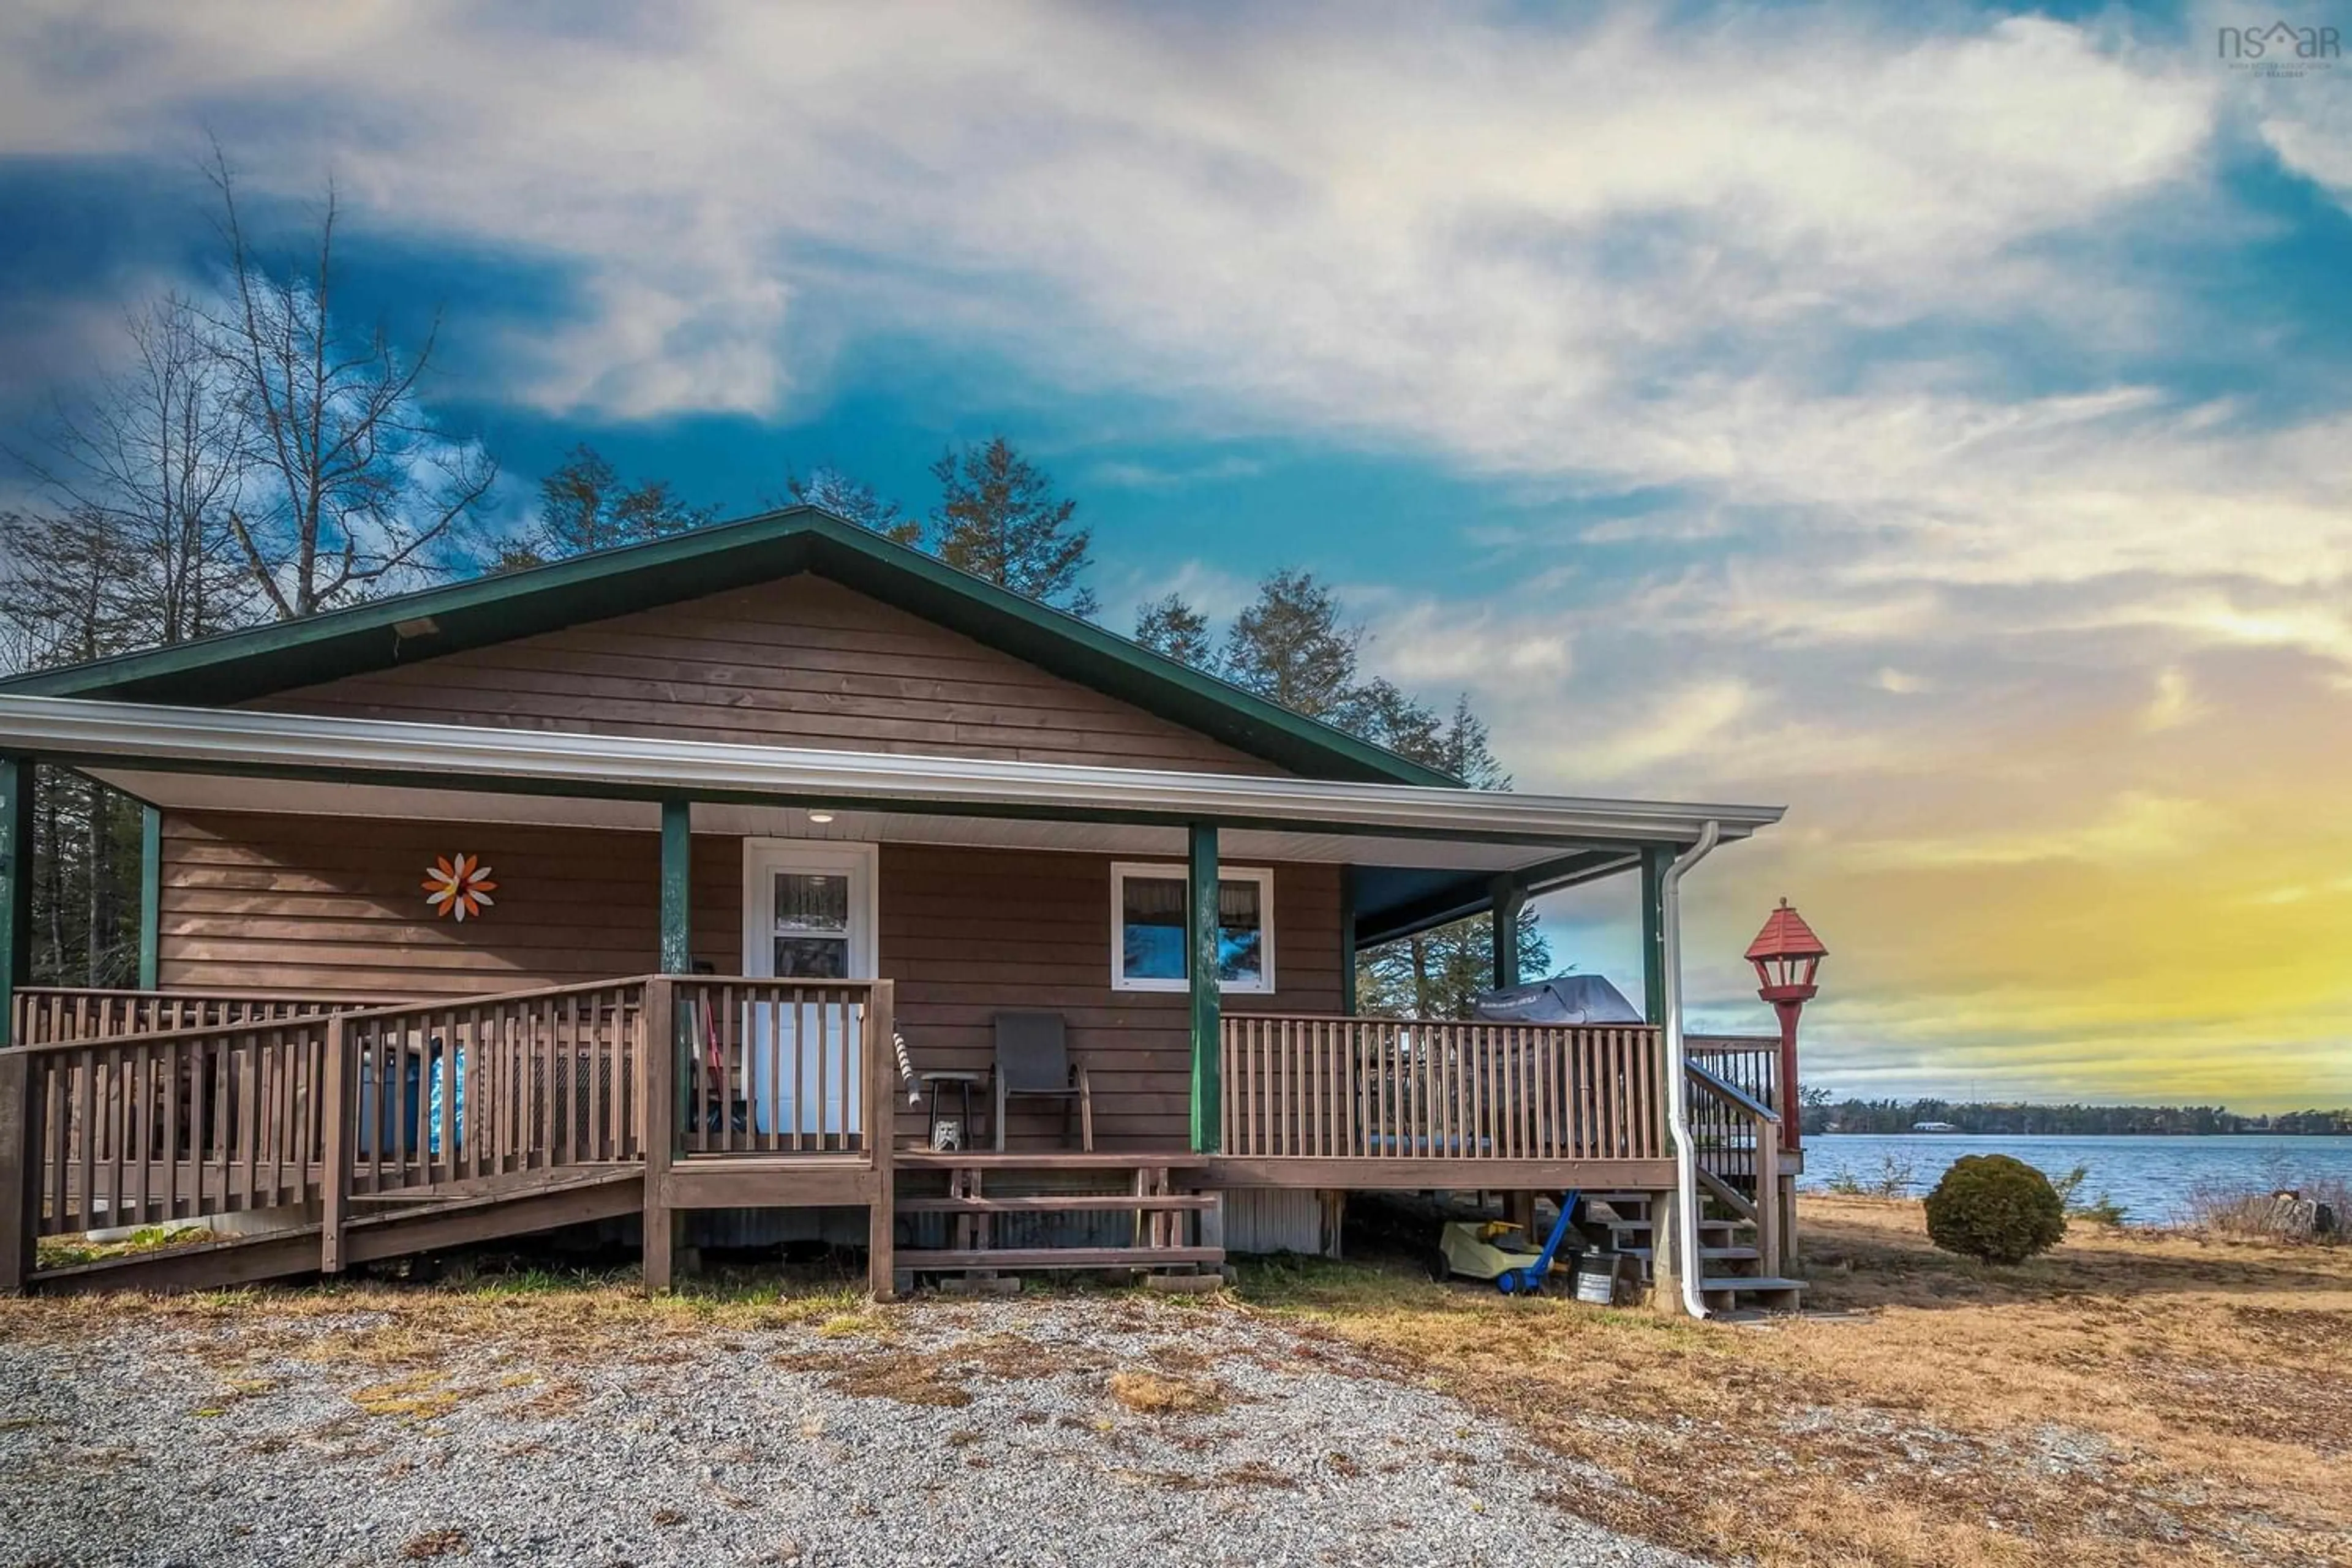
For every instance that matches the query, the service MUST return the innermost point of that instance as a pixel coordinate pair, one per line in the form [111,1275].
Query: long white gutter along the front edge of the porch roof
[488,758]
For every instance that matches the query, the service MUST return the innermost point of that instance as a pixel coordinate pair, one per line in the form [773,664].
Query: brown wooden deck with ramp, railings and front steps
[373,1132]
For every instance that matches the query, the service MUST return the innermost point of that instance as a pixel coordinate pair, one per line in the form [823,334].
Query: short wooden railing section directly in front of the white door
[775,1066]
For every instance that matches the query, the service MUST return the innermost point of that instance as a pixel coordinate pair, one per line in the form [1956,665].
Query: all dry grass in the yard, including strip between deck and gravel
[2127,1400]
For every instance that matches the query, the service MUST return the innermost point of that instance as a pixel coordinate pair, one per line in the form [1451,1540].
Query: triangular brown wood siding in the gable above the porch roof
[799,662]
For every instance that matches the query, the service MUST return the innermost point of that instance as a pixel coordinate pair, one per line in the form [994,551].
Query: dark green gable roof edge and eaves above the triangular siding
[382,634]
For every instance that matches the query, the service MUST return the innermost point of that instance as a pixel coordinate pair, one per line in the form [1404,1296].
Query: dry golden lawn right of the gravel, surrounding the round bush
[2125,1400]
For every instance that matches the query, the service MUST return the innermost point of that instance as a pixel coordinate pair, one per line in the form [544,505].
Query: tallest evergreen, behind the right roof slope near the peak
[998,518]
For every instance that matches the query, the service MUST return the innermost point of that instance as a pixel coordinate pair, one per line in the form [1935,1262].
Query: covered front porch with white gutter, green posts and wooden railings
[782,1076]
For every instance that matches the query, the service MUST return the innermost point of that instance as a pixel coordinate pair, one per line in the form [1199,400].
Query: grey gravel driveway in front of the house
[1031,1430]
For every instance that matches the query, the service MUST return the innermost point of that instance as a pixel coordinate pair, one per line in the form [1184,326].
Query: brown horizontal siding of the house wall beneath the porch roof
[321,906]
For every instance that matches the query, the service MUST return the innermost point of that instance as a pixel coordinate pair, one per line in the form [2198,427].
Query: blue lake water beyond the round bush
[2146,1177]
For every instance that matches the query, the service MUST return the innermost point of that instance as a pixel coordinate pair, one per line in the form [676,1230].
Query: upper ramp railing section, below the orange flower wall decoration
[455,1092]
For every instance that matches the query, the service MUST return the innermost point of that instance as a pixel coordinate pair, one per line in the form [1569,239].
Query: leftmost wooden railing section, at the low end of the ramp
[147,1130]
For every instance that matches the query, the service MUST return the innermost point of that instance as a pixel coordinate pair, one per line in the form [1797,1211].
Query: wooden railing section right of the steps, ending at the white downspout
[1441,1090]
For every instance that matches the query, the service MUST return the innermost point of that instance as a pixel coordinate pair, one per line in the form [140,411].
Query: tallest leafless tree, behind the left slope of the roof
[354,488]
